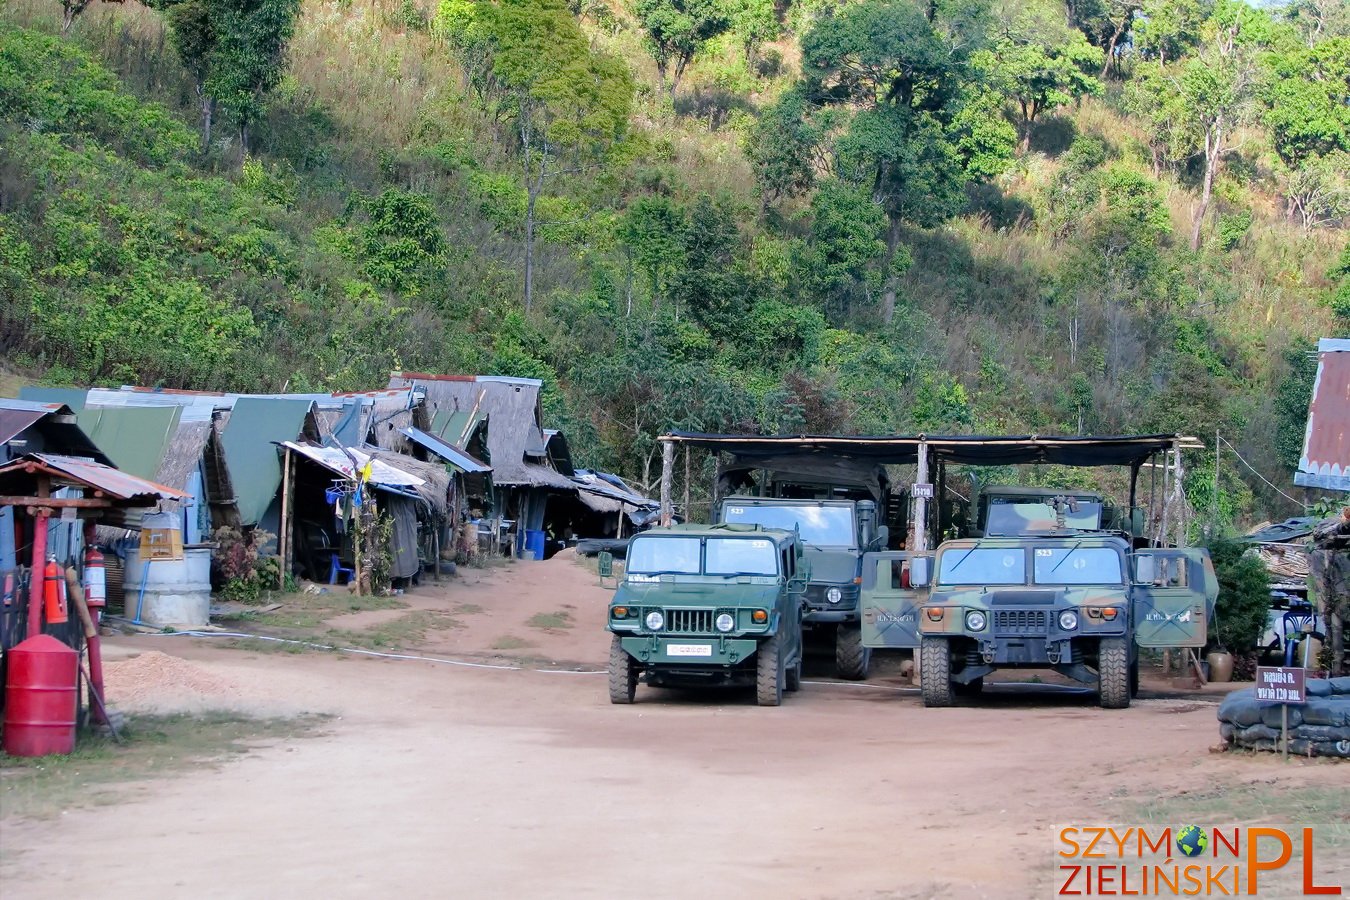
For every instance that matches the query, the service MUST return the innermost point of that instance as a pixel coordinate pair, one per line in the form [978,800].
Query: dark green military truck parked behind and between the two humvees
[836,534]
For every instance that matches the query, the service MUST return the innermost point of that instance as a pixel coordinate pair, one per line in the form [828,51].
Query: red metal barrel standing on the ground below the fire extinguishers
[40,698]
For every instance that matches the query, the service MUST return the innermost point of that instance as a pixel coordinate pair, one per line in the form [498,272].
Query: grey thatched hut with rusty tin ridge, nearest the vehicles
[526,482]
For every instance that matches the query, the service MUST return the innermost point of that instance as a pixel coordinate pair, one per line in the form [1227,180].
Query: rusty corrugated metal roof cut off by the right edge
[1326,445]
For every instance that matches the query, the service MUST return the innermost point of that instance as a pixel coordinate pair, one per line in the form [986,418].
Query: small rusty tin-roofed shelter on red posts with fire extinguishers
[84,493]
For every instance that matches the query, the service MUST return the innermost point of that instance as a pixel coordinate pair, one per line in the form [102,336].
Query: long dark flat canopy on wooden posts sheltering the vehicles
[847,454]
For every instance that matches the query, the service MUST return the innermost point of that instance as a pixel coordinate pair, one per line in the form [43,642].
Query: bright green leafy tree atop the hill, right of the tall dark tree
[1040,63]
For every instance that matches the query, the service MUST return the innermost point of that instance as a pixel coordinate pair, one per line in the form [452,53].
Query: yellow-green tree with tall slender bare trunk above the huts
[569,105]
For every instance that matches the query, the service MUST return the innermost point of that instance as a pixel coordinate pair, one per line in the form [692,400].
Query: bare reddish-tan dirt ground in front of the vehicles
[452,781]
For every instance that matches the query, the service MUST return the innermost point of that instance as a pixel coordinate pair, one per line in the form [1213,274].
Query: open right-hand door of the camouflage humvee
[1174,596]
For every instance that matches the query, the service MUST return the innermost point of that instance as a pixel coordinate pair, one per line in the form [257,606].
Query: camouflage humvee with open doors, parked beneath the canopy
[1081,604]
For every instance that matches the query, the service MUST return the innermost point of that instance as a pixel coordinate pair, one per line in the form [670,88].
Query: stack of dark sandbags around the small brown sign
[1318,728]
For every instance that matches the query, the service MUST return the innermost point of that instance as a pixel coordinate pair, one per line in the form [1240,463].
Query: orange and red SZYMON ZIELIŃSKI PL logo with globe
[1190,862]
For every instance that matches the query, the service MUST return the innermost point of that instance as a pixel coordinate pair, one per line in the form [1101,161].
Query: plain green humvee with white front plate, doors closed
[709,605]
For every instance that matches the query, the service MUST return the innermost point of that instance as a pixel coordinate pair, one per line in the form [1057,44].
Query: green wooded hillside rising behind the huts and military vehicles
[971,221]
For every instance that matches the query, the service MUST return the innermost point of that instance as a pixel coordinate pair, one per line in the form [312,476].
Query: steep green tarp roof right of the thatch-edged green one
[250,454]
